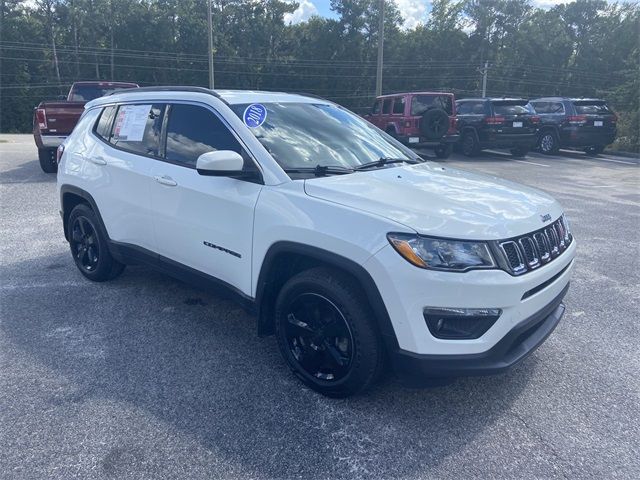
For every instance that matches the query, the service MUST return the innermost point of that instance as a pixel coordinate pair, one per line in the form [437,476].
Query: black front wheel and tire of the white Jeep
[326,333]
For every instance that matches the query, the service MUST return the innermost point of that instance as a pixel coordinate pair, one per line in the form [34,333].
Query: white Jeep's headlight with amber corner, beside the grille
[442,254]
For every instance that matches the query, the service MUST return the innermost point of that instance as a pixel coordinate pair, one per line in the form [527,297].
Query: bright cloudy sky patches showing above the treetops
[413,11]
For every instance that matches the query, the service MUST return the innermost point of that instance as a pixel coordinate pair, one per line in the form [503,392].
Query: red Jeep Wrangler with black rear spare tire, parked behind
[419,119]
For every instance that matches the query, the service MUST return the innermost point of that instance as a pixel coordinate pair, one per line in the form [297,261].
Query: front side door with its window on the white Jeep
[203,222]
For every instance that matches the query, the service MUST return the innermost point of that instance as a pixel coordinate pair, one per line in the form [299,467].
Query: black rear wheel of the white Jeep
[89,247]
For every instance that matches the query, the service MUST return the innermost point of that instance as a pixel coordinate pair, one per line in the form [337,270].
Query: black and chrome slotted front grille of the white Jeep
[528,252]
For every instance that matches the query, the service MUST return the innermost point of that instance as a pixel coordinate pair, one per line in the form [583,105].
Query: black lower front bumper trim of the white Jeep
[517,344]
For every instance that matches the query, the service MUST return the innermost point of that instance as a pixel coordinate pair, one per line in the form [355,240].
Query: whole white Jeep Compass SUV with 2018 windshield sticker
[349,247]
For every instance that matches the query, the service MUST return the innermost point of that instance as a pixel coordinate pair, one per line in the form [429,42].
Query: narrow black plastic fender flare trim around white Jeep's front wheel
[369,287]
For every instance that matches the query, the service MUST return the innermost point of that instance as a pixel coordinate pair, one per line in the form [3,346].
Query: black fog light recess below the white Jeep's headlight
[460,323]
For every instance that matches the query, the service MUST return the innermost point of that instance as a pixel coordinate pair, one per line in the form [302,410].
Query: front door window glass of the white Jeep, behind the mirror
[194,130]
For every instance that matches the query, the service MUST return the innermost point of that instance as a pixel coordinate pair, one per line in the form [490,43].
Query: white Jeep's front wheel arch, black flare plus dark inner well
[285,259]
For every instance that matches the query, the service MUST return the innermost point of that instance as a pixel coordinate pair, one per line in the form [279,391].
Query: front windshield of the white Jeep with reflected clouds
[305,135]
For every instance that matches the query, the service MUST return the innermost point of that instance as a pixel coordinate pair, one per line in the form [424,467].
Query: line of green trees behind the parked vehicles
[583,48]
